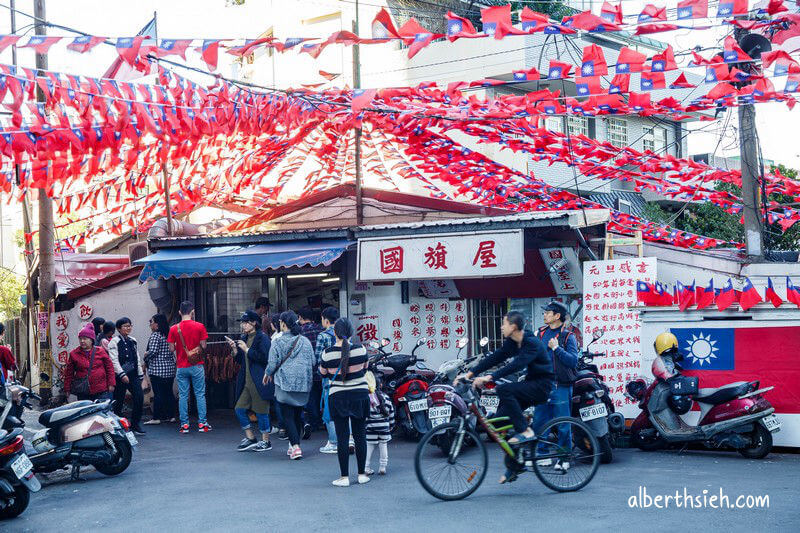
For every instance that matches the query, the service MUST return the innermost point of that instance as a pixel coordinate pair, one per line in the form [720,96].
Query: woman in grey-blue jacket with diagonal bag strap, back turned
[291,362]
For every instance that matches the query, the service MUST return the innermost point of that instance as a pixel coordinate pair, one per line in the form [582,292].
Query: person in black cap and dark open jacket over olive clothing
[251,351]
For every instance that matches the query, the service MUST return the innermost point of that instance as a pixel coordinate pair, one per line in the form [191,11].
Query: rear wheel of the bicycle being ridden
[567,455]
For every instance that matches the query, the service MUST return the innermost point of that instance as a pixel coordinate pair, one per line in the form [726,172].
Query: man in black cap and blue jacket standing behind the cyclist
[563,348]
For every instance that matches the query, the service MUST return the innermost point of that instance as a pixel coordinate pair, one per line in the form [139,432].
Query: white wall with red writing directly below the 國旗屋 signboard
[440,321]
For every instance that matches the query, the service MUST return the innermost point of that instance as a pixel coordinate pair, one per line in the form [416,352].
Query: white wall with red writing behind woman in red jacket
[129,299]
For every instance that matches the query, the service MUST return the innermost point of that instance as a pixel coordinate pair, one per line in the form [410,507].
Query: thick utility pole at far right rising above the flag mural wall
[751,195]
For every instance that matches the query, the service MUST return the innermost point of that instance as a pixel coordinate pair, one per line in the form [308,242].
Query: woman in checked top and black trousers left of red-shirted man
[159,361]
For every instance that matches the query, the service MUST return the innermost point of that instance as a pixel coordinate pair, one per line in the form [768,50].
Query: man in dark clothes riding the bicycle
[525,351]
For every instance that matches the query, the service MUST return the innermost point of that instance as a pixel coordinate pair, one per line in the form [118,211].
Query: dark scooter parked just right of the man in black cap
[591,402]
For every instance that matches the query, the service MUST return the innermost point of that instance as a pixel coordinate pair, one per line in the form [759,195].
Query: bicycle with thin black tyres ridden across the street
[462,470]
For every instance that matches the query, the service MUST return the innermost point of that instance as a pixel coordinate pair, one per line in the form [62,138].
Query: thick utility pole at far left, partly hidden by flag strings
[46,225]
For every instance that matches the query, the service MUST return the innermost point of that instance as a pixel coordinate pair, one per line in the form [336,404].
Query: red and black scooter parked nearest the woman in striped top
[407,387]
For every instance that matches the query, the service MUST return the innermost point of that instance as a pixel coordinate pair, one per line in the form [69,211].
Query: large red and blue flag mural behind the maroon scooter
[719,356]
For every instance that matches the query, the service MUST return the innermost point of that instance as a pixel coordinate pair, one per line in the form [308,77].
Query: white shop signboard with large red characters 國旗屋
[444,256]
